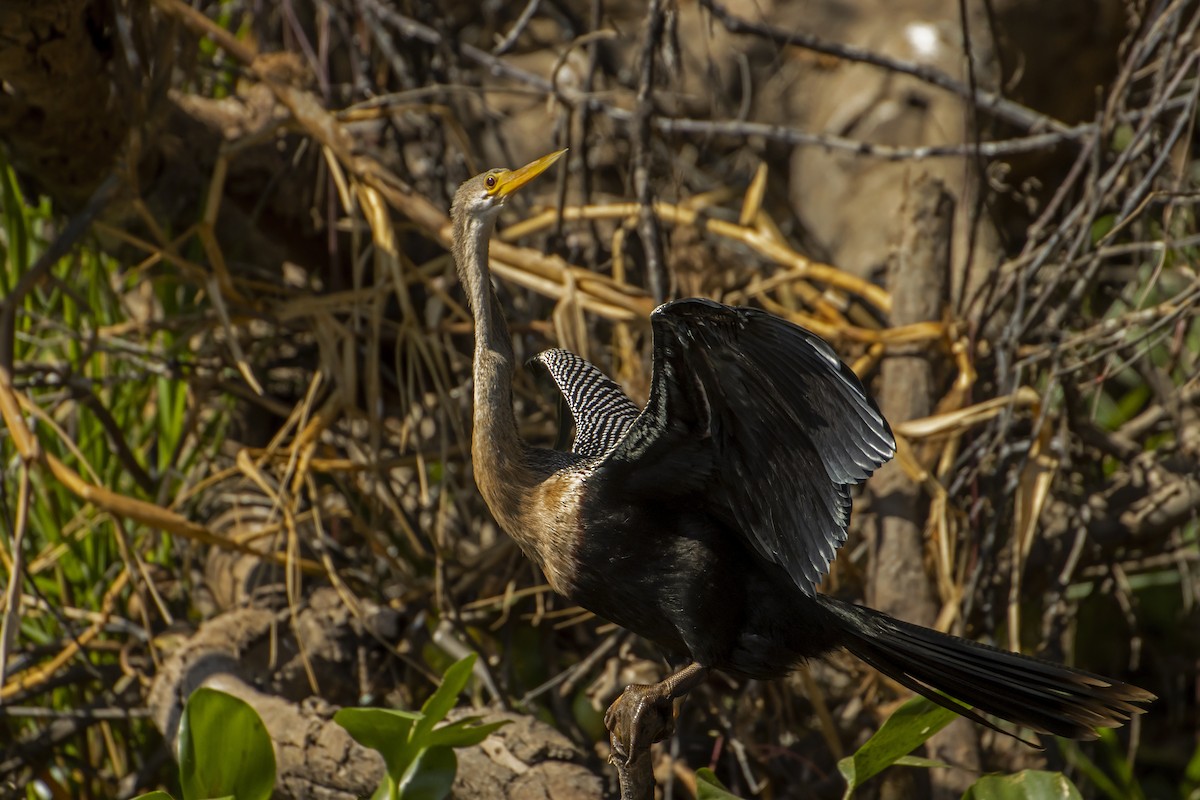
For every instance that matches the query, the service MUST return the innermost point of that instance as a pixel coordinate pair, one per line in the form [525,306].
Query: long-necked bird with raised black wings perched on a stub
[706,520]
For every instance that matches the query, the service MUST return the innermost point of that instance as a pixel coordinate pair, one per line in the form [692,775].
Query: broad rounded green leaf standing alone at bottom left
[224,750]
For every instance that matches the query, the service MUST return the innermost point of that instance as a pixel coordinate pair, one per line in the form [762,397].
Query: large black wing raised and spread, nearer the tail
[765,424]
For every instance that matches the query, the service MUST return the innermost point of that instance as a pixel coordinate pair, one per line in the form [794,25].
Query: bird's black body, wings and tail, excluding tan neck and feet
[706,522]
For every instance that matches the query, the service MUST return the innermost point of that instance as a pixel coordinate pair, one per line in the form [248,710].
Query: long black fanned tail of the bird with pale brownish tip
[1046,697]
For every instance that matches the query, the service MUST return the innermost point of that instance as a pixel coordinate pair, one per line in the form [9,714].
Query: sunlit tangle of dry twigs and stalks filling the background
[235,360]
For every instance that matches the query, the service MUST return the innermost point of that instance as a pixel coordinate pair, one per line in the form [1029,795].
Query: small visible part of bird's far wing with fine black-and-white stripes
[601,410]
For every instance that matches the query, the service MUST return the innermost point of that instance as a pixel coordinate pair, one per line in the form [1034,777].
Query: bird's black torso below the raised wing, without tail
[681,579]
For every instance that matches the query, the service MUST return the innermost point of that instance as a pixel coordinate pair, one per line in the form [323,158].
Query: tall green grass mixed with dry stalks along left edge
[83,366]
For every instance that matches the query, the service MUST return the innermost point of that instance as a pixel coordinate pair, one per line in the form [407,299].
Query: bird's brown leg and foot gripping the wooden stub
[645,714]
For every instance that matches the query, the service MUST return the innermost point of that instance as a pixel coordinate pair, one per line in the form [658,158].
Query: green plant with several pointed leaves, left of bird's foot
[421,759]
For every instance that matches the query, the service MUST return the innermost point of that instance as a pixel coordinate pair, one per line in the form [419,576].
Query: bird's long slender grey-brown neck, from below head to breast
[497,450]
